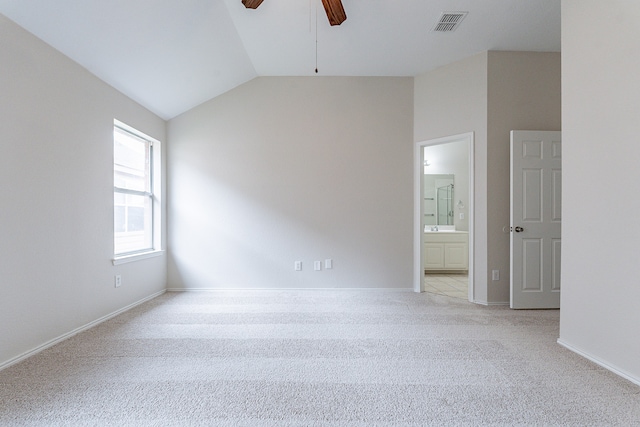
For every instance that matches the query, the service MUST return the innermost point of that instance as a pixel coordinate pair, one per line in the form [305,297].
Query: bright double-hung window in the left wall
[133,191]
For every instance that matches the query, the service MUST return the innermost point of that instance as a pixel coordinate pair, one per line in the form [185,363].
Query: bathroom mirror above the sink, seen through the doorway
[438,199]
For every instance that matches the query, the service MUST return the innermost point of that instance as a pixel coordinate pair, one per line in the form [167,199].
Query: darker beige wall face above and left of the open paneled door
[523,94]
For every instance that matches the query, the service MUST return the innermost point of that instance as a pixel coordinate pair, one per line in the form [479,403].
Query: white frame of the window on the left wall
[153,194]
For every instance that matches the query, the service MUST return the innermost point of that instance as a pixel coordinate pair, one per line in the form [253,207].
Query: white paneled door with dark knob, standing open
[536,184]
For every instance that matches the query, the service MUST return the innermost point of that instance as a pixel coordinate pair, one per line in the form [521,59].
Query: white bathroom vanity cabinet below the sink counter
[446,250]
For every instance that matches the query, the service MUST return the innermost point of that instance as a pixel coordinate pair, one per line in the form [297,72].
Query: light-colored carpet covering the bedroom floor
[316,358]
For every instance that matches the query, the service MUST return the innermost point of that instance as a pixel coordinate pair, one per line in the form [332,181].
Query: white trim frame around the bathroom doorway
[418,207]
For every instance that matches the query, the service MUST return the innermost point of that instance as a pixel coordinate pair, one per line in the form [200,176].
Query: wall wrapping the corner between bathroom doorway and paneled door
[490,94]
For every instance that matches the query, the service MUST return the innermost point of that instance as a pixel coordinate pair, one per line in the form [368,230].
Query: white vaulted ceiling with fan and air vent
[171,55]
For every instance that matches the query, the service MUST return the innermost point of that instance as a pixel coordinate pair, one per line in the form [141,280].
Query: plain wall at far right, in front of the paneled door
[600,313]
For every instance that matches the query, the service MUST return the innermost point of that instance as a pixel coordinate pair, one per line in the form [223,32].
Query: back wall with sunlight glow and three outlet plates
[282,169]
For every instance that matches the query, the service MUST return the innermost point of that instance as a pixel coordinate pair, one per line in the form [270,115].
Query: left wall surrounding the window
[56,196]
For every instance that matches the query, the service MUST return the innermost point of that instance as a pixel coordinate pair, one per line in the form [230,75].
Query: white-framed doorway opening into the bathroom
[452,155]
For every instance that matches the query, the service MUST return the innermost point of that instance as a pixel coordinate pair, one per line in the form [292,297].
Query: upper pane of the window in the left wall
[131,162]
